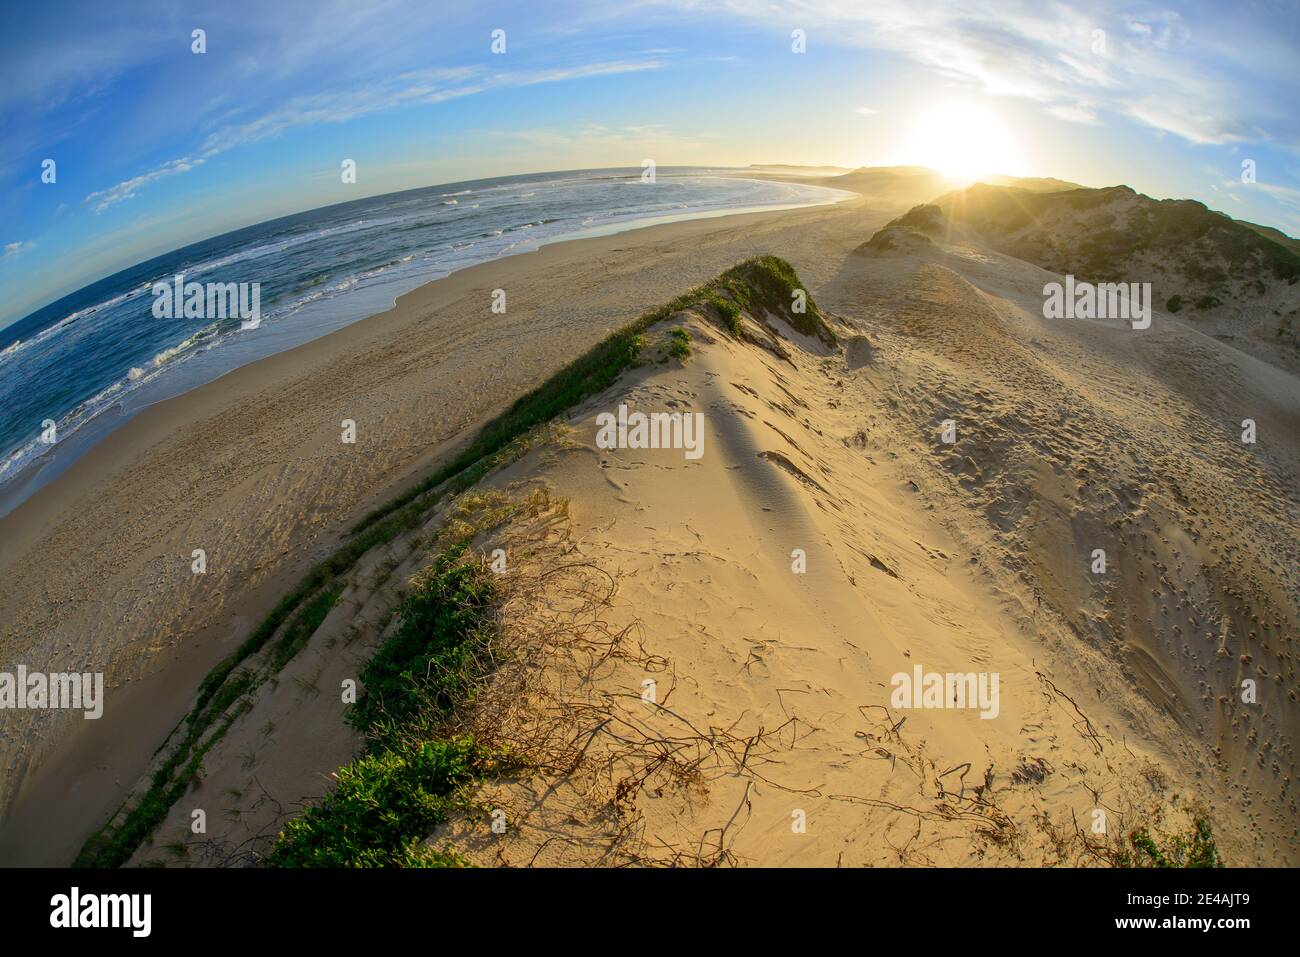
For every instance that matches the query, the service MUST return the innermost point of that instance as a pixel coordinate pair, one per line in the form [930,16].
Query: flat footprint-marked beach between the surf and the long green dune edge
[254,456]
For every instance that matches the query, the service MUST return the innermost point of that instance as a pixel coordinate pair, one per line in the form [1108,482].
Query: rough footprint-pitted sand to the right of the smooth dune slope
[1086,436]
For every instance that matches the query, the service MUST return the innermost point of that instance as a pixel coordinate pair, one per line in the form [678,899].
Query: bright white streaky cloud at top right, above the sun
[1152,70]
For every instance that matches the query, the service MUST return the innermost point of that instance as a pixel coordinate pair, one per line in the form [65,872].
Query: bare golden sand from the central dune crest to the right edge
[1119,691]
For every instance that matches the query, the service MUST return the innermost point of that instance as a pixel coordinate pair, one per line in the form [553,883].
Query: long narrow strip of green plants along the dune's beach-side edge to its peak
[764,285]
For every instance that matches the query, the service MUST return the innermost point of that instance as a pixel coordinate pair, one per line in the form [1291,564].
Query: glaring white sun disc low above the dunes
[964,142]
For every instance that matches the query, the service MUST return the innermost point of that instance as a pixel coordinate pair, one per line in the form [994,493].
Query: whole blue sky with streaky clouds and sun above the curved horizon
[157,146]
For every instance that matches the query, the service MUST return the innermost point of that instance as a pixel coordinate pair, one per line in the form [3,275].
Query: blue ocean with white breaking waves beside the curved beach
[97,357]
